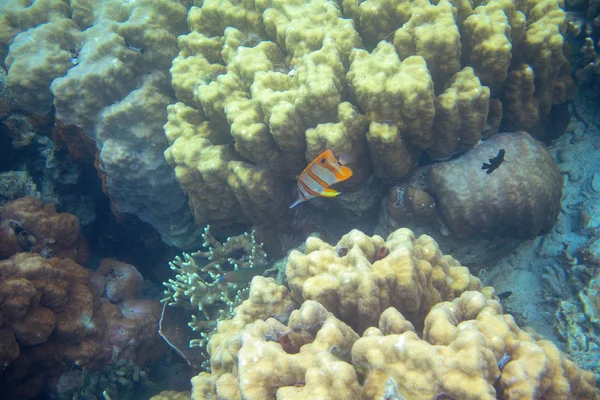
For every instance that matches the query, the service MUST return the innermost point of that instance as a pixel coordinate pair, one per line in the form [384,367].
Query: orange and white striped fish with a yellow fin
[322,172]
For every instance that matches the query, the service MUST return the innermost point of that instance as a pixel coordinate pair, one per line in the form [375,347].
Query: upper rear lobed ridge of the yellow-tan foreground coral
[362,276]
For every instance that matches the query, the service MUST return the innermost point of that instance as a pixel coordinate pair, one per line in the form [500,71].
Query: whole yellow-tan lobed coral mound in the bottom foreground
[429,330]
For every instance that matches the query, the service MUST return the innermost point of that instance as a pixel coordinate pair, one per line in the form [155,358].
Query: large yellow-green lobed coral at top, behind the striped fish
[265,87]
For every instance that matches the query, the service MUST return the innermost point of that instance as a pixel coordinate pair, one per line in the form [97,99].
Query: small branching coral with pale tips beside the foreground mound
[210,291]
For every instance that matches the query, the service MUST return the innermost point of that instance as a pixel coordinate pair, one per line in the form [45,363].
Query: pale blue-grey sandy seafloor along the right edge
[543,272]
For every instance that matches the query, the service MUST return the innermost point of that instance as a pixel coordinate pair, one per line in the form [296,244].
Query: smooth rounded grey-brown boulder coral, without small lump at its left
[521,198]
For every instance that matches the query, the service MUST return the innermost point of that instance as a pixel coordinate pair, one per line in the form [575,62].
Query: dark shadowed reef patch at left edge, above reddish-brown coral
[34,164]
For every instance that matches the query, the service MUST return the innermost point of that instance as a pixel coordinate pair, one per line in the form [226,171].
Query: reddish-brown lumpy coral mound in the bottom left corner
[50,319]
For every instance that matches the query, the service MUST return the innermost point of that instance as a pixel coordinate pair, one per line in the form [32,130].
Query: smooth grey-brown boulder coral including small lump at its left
[520,198]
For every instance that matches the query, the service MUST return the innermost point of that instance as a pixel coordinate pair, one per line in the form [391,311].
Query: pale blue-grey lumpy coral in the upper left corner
[104,67]
